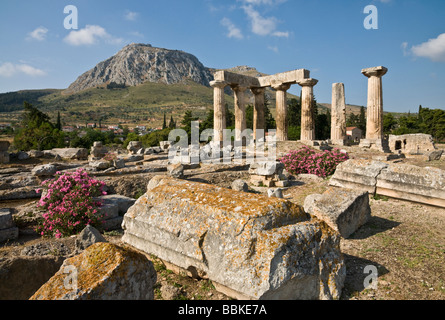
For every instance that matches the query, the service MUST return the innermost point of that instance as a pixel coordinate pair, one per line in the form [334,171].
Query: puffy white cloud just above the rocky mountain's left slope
[89,36]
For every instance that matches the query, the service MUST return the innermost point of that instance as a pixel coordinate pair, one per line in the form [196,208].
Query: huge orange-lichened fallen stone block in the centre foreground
[258,247]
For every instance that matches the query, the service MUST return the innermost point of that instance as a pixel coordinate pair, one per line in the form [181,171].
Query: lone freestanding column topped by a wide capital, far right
[374,120]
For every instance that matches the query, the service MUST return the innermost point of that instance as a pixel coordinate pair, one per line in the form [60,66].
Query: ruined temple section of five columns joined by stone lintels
[280,82]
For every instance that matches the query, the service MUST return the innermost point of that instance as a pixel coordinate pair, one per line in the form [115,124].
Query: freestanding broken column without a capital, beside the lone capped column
[338,114]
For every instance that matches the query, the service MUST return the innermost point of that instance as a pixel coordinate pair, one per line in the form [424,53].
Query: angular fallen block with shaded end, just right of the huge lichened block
[343,210]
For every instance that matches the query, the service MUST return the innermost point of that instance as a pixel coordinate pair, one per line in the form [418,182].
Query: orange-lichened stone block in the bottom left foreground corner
[104,271]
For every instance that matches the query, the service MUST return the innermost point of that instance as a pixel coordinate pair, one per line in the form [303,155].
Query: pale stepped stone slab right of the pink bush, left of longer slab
[357,174]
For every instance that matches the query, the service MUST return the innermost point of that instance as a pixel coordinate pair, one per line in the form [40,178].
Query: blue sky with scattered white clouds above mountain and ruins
[324,36]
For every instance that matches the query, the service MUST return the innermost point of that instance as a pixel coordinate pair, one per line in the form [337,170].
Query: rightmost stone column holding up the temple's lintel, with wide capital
[307,112]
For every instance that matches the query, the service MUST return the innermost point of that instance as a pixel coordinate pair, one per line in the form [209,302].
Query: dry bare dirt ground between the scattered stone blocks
[403,241]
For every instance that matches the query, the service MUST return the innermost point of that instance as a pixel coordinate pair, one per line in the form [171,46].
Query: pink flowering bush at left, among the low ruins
[70,205]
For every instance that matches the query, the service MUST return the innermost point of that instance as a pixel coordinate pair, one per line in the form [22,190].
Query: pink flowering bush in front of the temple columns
[306,160]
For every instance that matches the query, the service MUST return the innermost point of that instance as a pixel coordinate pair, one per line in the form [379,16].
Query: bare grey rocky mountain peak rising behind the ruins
[139,63]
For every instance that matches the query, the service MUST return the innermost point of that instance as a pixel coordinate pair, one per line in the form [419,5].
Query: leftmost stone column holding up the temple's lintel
[219,109]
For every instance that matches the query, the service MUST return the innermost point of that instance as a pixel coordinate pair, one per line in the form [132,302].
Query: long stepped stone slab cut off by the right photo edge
[409,182]
